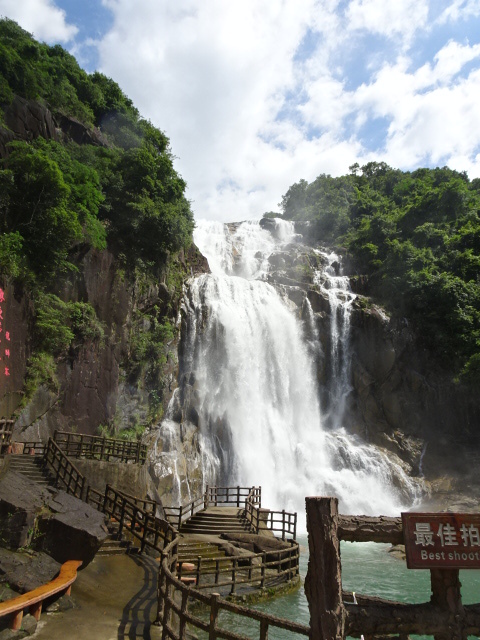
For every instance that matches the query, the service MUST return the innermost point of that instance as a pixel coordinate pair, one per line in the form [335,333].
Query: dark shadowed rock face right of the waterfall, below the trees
[402,401]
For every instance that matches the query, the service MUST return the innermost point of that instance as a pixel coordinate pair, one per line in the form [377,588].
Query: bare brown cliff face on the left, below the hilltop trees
[93,387]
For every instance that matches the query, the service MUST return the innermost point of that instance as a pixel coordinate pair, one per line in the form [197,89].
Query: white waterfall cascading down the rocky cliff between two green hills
[253,386]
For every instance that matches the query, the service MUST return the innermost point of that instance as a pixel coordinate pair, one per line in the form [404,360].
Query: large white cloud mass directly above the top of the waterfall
[214,74]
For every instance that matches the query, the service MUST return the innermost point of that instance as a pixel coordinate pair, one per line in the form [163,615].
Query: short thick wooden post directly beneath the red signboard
[446,594]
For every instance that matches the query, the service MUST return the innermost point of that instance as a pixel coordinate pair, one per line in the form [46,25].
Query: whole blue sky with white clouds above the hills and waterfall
[256,95]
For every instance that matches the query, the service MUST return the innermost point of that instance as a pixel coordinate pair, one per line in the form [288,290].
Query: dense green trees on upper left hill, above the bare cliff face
[55,197]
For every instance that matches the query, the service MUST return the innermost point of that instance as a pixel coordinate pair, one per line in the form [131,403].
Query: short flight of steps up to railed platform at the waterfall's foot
[217,520]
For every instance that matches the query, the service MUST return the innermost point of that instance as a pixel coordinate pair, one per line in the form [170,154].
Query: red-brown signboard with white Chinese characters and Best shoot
[442,540]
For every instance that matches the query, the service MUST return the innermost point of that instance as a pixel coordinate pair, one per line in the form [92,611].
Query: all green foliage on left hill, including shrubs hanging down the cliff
[59,199]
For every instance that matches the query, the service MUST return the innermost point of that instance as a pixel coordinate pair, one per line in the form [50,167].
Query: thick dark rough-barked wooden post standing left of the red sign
[323,584]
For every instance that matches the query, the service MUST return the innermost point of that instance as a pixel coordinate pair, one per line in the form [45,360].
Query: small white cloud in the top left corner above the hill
[40,17]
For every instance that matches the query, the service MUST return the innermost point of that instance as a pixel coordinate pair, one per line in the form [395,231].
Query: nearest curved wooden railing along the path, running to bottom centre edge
[175,598]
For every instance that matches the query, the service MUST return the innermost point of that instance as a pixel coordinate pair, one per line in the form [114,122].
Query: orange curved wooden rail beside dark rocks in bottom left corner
[34,599]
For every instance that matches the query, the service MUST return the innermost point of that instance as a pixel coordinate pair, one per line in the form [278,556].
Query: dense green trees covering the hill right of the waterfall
[417,236]
